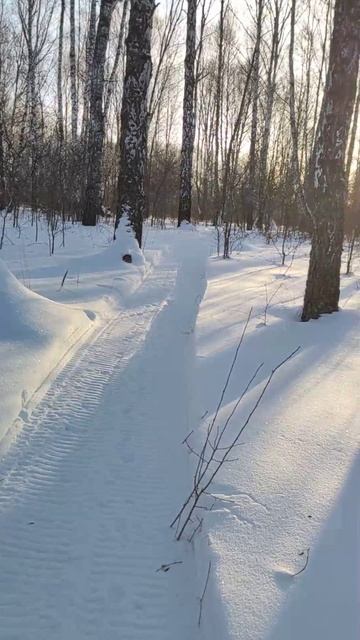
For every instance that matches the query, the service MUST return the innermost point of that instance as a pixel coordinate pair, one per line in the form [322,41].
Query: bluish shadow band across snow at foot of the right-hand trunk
[319,341]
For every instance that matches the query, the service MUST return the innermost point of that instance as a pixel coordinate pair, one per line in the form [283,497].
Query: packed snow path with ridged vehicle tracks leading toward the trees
[90,486]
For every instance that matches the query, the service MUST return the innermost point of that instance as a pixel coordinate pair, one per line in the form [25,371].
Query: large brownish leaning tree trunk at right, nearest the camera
[329,181]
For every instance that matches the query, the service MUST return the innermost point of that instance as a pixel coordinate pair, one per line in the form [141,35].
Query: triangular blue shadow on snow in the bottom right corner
[323,602]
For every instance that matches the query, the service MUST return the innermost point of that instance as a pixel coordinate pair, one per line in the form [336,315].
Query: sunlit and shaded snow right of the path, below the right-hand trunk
[295,484]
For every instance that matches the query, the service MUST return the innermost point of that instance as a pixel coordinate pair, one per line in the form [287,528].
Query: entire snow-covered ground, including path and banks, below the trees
[95,407]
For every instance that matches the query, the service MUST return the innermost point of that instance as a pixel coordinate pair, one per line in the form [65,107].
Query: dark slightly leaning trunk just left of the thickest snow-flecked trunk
[96,125]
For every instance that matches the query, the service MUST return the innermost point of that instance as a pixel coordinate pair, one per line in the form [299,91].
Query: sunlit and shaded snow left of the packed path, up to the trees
[38,334]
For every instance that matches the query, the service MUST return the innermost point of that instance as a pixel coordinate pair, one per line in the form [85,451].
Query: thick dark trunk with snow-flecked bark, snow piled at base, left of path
[134,116]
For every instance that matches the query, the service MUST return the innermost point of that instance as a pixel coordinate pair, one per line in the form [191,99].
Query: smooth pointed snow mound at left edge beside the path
[35,333]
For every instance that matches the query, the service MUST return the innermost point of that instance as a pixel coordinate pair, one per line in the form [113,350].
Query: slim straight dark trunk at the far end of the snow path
[188,131]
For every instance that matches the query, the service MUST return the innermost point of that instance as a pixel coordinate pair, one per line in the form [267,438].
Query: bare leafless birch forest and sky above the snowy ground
[213,111]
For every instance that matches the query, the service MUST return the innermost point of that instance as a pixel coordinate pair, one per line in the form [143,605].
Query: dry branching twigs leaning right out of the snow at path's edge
[204,479]
